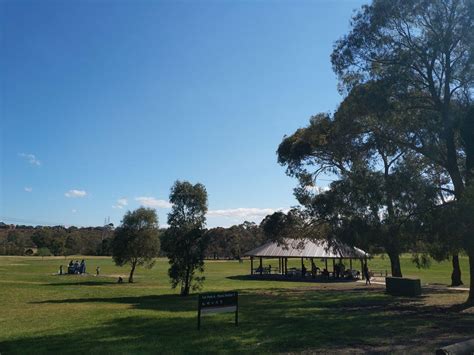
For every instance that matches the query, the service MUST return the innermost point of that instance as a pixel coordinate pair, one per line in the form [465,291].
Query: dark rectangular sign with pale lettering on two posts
[218,303]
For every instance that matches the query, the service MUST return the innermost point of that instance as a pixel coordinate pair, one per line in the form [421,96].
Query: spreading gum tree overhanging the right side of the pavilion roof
[378,189]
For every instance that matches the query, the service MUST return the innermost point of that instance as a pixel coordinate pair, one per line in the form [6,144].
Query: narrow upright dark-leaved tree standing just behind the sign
[185,241]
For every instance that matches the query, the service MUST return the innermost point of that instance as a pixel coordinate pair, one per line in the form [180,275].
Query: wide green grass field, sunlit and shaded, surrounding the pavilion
[41,312]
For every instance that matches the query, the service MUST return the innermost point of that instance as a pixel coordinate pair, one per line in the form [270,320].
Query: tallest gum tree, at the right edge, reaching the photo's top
[424,49]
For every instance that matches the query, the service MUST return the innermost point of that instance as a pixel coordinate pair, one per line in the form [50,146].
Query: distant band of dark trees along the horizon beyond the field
[223,243]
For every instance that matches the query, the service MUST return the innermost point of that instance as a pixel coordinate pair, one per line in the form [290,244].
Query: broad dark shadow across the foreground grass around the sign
[277,320]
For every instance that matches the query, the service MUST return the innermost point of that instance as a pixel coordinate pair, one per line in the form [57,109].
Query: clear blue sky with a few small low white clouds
[104,104]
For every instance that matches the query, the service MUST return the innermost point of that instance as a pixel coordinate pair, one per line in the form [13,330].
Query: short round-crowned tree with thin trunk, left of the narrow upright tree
[136,241]
